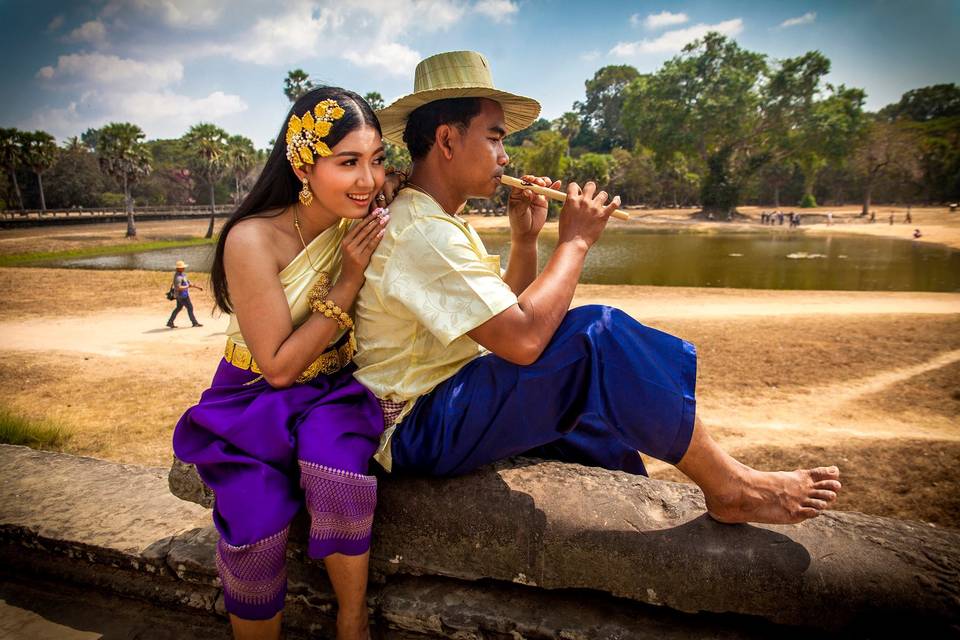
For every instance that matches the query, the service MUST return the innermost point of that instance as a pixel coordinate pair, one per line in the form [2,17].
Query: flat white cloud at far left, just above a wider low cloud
[102,70]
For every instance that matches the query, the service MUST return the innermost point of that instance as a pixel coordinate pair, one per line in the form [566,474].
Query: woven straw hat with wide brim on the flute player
[455,74]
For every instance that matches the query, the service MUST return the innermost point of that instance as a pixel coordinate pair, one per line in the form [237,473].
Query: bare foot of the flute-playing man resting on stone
[780,497]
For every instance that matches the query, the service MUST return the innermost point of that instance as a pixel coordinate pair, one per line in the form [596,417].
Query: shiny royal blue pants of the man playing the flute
[605,388]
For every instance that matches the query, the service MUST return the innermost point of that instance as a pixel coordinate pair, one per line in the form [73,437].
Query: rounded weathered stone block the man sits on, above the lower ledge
[559,526]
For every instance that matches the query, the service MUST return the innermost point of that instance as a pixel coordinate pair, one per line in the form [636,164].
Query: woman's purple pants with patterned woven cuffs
[249,442]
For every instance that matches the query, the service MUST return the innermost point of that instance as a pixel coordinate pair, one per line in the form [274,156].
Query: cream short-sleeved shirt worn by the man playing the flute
[428,283]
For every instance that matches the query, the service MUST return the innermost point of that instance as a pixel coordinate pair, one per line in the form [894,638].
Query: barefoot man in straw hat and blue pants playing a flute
[473,366]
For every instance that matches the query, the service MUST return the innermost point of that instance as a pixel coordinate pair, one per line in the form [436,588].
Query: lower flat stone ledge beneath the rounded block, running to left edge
[116,529]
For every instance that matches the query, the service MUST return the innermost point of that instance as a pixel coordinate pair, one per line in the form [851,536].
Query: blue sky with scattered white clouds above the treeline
[168,64]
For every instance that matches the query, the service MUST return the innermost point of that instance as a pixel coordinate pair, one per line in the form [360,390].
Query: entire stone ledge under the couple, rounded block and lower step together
[538,550]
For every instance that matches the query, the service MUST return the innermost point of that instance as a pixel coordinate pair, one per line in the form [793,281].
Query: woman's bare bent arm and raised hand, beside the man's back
[260,305]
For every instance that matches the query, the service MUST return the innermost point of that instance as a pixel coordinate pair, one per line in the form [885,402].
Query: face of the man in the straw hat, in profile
[479,157]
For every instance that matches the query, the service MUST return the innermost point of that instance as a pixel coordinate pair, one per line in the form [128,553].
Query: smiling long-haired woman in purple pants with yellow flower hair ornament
[284,422]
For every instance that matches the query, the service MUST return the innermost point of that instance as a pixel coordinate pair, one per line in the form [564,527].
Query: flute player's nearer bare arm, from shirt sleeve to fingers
[522,332]
